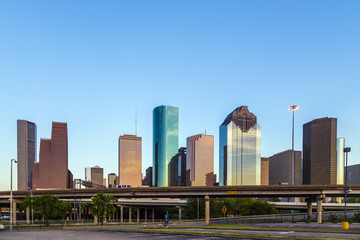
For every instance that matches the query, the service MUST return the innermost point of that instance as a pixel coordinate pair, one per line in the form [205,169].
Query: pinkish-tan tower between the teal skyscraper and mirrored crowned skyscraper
[200,160]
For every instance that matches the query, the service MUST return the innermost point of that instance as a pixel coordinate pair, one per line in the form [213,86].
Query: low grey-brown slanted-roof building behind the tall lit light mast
[280,168]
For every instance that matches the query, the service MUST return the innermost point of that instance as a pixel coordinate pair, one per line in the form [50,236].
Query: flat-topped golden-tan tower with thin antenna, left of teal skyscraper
[130,160]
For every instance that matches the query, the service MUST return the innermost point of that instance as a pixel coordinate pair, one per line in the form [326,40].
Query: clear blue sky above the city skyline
[91,63]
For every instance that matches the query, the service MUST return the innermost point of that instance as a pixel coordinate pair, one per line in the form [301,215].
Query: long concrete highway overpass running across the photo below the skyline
[312,193]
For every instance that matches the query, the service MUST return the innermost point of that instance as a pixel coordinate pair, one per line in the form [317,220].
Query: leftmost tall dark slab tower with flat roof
[26,153]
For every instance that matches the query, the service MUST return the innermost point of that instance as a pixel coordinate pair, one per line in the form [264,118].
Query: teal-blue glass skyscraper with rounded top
[165,142]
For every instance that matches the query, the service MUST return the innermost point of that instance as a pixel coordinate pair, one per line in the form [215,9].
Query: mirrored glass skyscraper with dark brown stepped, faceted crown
[240,149]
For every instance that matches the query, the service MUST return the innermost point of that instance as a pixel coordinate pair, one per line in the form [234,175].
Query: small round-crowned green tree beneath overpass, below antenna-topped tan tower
[103,206]
